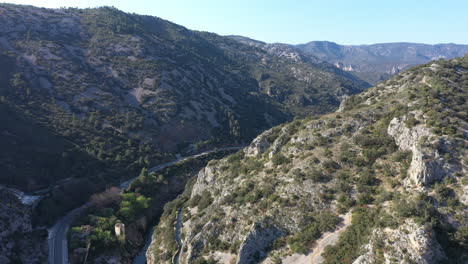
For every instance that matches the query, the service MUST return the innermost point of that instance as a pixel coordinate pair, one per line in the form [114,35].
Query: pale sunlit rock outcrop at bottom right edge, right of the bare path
[409,243]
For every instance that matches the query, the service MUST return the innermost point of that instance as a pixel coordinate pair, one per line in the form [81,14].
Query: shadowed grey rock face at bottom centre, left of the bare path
[259,237]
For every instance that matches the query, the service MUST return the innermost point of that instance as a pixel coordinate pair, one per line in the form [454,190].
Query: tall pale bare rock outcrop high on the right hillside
[427,166]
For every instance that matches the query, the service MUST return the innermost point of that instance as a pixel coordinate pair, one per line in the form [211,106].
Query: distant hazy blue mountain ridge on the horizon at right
[379,62]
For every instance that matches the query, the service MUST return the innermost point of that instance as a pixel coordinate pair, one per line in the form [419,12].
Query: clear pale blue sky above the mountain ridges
[300,21]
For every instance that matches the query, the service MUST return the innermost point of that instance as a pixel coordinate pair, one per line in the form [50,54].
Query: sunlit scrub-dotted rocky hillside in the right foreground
[393,159]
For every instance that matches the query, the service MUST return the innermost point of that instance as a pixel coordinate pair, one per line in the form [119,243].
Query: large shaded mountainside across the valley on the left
[118,90]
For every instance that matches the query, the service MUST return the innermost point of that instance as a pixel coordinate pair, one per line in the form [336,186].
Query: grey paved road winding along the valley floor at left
[57,240]
